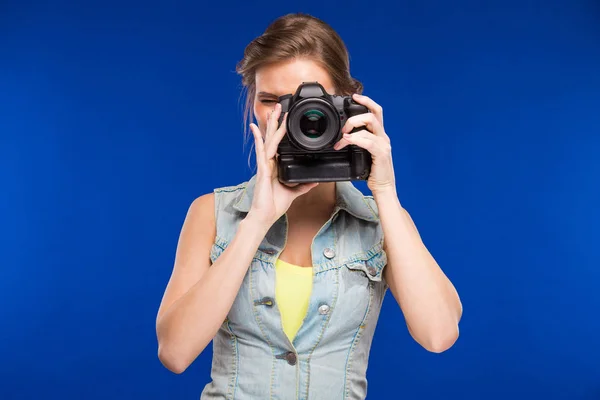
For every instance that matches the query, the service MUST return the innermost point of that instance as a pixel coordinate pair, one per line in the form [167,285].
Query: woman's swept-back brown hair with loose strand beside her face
[294,36]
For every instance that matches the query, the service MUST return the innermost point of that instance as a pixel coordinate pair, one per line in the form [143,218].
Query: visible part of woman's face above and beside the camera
[275,80]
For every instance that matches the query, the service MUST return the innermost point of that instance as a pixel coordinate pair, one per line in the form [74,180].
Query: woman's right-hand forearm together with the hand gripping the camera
[430,304]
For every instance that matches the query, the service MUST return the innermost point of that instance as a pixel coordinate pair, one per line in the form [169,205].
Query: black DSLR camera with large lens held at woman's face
[314,124]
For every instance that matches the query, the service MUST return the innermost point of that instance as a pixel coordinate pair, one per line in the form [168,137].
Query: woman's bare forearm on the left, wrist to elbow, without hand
[189,325]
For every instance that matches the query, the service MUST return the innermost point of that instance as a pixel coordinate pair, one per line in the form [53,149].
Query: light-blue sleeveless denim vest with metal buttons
[252,357]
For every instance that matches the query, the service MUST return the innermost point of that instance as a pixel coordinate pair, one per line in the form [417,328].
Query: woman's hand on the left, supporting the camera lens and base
[271,198]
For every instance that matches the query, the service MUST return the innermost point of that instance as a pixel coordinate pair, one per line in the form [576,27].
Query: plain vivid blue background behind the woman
[114,116]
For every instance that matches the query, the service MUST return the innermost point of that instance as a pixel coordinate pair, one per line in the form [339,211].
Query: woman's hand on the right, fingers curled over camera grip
[373,139]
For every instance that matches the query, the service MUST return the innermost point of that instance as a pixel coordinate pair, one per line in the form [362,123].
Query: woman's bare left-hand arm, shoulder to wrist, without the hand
[198,295]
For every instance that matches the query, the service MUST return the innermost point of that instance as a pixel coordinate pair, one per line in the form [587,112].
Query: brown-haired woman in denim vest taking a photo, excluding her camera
[288,281]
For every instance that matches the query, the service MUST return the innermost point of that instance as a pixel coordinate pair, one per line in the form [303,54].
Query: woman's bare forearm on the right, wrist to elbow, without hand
[428,299]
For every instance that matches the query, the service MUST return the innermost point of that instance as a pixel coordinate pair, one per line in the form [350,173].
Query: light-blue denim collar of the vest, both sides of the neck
[348,198]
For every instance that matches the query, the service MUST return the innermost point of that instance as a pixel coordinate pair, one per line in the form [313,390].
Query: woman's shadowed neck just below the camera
[320,201]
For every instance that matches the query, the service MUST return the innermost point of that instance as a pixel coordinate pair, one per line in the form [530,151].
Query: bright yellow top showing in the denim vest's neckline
[293,285]
